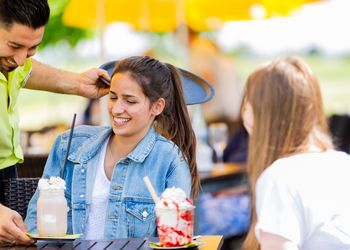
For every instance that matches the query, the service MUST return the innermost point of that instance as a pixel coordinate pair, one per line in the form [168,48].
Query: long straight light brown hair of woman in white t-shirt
[288,119]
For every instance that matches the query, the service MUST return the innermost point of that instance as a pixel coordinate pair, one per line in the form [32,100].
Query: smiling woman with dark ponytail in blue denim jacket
[106,165]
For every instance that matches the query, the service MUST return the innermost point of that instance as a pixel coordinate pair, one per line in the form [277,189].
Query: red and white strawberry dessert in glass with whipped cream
[174,218]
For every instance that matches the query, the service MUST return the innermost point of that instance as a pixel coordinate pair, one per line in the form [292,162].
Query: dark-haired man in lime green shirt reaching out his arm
[22,25]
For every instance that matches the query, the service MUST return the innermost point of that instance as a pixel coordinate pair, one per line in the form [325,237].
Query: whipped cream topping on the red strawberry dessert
[174,198]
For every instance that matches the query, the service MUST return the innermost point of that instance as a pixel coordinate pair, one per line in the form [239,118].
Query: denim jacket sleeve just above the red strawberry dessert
[179,175]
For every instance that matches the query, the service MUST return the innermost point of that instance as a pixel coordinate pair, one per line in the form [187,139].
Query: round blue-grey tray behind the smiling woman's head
[196,89]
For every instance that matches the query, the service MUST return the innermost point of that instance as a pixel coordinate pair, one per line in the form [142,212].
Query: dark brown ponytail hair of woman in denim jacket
[162,80]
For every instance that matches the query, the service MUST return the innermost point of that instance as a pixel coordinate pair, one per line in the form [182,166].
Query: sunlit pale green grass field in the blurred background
[39,109]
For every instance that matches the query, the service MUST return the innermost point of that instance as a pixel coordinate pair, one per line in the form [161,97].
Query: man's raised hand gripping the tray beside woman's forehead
[90,85]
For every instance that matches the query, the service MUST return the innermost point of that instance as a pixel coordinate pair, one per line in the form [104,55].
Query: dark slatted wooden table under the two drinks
[211,242]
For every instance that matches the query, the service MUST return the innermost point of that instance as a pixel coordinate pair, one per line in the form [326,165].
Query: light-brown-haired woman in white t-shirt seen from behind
[300,185]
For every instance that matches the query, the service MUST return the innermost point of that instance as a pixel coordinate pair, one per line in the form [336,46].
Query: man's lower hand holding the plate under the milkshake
[12,228]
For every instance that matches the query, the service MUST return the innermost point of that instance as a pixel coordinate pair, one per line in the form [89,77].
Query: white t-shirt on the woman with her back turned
[306,198]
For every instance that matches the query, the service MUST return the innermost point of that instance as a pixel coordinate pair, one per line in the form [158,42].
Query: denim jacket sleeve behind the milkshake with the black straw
[53,167]
